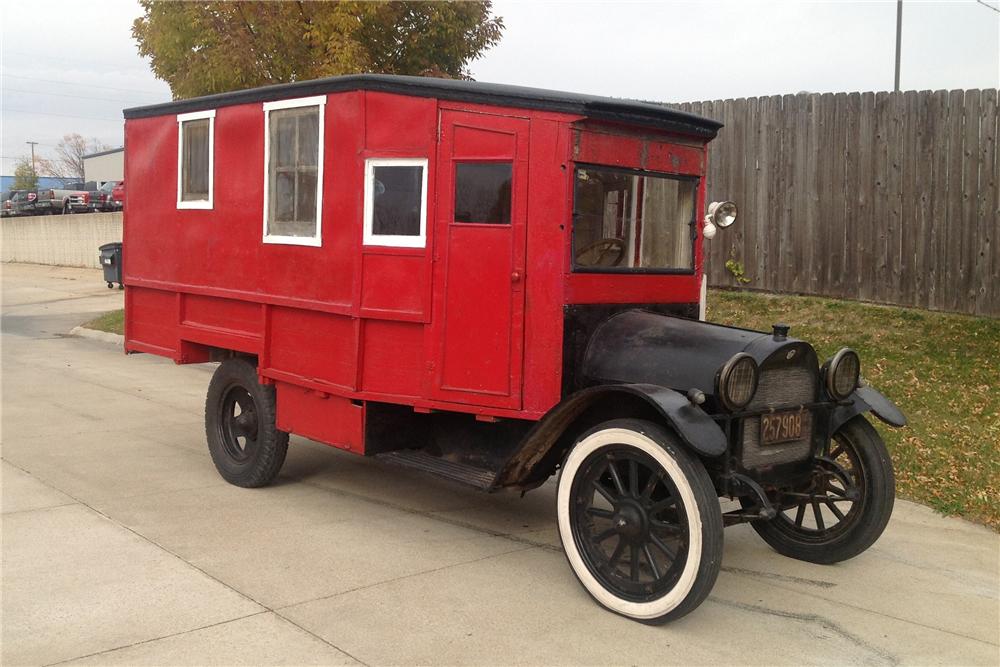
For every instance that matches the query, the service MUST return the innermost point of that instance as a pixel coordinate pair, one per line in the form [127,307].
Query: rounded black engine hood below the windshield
[640,346]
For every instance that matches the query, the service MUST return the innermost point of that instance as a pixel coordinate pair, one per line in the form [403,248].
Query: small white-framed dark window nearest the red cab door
[396,202]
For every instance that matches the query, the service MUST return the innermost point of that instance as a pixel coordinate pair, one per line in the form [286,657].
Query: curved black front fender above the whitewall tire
[541,450]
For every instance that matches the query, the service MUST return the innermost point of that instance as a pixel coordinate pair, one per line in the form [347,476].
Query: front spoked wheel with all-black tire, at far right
[843,508]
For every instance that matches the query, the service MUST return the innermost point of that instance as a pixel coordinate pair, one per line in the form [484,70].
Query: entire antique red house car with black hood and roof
[493,284]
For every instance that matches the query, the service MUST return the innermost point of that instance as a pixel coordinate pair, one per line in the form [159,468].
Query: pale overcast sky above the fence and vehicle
[66,70]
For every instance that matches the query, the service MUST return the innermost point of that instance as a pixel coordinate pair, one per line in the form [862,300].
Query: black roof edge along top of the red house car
[603,108]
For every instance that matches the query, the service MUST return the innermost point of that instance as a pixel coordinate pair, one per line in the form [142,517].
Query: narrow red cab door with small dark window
[477,332]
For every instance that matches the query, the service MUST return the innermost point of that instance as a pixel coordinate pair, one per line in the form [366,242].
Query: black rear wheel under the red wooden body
[246,446]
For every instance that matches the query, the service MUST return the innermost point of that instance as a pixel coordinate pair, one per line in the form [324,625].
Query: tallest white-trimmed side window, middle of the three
[293,178]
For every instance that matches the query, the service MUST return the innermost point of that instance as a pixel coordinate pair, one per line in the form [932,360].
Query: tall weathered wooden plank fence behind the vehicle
[884,197]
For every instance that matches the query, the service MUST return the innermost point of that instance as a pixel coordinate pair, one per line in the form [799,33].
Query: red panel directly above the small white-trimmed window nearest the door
[396,123]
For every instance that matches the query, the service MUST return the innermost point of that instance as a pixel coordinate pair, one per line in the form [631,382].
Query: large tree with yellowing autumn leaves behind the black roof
[200,48]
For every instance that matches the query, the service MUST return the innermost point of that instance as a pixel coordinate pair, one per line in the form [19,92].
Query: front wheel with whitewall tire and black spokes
[640,521]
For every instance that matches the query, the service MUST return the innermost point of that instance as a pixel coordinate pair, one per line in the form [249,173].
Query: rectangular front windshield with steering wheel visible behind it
[631,221]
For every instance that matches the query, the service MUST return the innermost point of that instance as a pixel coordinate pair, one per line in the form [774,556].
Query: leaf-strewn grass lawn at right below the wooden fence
[942,370]
